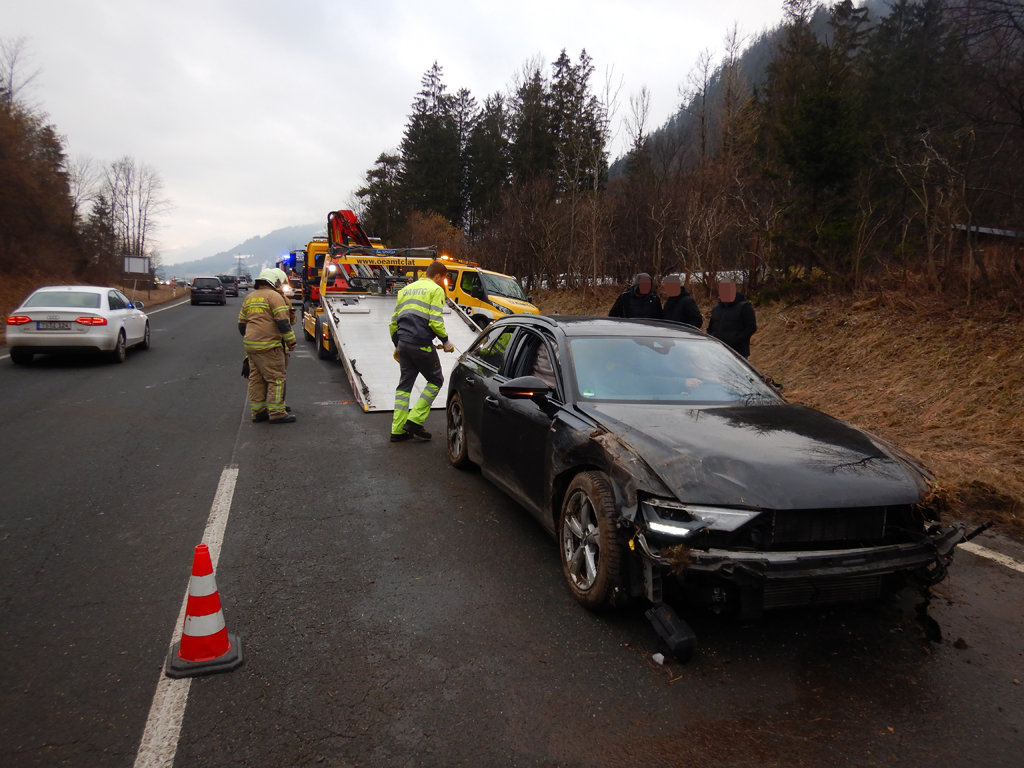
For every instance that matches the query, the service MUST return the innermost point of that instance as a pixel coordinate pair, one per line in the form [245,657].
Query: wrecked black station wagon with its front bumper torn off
[653,452]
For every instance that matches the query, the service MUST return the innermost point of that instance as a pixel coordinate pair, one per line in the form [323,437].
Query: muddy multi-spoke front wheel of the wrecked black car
[592,551]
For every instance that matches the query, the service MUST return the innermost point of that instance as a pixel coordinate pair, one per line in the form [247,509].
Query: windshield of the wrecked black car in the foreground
[664,369]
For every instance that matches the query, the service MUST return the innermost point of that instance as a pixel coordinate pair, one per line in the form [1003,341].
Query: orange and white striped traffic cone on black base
[206,648]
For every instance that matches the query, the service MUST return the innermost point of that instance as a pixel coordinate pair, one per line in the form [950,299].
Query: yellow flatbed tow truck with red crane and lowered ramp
[357,302]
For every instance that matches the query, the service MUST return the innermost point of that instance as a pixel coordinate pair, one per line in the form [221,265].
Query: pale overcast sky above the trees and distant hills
[263,115]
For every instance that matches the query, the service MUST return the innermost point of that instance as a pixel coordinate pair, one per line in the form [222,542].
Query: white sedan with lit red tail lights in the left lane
[74,319]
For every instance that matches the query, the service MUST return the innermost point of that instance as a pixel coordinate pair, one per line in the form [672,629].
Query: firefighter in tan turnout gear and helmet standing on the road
[268,334]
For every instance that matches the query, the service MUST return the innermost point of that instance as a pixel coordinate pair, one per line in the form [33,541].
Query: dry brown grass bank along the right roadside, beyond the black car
[947,387]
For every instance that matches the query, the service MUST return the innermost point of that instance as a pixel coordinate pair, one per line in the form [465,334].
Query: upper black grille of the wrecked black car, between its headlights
[838,528]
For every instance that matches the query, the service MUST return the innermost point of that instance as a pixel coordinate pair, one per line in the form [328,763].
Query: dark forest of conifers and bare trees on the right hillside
[852,147]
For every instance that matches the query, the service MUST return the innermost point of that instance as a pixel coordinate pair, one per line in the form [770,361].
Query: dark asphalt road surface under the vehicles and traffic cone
[396,612]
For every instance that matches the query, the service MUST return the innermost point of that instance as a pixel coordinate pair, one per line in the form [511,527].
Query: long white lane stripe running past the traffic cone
[163,728]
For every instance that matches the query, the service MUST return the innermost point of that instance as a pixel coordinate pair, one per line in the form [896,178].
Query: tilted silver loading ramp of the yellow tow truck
[359,326]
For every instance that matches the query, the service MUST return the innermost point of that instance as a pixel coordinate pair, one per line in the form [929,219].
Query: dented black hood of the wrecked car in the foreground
[763,457]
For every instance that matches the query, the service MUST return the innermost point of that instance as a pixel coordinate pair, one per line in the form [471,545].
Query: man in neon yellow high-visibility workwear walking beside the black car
[416,322]
